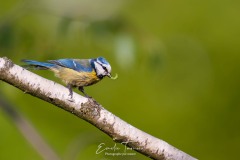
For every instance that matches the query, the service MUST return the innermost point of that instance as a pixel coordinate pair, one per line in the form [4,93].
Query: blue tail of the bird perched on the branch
[37,65]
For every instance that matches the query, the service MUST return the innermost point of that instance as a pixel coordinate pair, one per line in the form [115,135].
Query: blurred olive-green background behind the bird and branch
[178,67]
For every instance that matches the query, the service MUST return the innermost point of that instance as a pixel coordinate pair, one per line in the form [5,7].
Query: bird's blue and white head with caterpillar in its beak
[102,68]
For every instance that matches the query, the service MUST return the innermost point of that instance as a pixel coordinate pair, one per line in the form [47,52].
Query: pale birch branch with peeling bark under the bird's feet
[90,111]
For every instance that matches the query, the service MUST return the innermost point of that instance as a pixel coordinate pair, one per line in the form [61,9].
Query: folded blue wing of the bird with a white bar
[75,64]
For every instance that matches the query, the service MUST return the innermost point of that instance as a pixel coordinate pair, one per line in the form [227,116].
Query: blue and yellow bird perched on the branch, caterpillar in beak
[75,72]
